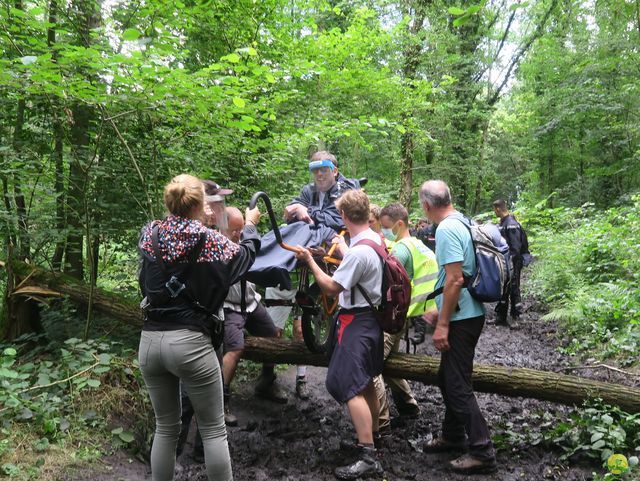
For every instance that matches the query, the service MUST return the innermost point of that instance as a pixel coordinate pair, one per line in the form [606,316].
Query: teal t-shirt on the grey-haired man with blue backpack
[453,244]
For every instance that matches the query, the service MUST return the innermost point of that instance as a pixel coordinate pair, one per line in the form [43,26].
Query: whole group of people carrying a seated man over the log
[192,281]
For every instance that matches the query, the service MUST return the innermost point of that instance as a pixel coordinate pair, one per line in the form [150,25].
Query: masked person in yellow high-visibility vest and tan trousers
[420,263]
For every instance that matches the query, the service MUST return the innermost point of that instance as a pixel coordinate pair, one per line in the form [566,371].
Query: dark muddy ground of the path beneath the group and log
[299,440]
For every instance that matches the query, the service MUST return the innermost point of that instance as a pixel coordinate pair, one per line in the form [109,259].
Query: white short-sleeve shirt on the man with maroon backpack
[360,265]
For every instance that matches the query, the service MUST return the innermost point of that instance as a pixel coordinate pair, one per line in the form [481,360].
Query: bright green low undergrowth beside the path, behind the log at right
[588,275]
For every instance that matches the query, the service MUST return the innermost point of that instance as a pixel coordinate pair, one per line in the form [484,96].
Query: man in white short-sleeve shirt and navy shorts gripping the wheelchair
[357,351]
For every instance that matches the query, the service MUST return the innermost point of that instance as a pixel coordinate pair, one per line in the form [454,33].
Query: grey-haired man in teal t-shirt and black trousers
[458,328]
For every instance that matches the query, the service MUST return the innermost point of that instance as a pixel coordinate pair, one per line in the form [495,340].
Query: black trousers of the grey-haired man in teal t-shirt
[463,420]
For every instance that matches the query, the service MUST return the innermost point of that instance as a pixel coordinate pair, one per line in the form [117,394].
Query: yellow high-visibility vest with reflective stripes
[425,275]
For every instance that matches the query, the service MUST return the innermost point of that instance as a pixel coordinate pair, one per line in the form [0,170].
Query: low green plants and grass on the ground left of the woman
[53,397]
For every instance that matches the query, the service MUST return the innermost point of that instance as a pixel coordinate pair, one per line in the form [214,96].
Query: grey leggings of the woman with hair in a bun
[166,358]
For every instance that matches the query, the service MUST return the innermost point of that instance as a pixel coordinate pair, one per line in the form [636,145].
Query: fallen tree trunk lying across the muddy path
[544,385]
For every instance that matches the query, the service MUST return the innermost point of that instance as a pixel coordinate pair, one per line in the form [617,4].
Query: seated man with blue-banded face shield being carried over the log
[315,204]
